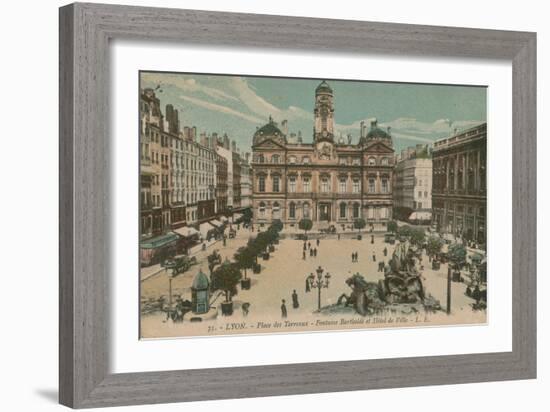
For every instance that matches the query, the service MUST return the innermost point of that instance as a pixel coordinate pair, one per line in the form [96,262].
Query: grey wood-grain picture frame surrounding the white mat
[85,32]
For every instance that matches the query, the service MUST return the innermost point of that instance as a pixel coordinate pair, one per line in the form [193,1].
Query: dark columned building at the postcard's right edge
[459,195]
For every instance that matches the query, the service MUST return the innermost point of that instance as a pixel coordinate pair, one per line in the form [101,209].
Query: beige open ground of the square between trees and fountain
[286,271]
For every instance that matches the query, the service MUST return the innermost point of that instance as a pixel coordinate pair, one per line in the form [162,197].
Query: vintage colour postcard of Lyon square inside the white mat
[280,205]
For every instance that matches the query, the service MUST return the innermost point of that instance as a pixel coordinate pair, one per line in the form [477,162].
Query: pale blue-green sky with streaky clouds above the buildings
[236,105]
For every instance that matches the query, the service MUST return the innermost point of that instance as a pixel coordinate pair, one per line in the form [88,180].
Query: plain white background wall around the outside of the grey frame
[28,359]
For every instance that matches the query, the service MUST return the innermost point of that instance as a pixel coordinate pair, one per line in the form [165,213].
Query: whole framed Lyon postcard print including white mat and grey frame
[234,184]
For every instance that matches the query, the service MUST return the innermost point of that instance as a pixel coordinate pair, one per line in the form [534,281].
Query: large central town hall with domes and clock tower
[327,181]
